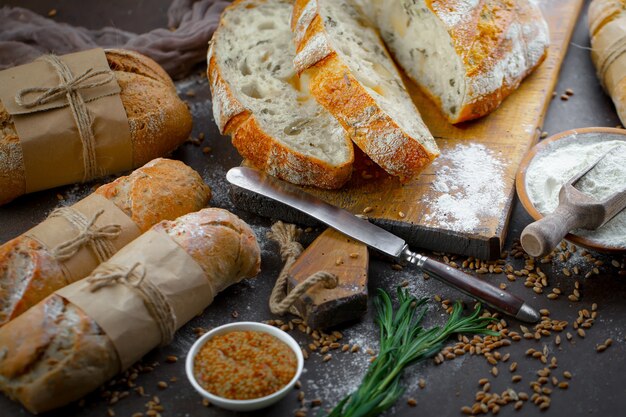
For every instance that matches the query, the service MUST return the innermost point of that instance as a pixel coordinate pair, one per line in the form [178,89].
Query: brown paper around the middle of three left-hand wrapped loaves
[57,230]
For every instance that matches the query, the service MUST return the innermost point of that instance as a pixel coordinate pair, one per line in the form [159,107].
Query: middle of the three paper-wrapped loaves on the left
[31,269]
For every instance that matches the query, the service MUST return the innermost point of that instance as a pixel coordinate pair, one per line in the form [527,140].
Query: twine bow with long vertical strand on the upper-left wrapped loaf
[70,87]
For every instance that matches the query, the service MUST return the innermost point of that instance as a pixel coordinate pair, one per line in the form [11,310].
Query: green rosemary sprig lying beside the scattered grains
[403,341]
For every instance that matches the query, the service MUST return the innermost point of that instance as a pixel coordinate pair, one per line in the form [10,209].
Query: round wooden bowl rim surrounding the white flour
[520,178]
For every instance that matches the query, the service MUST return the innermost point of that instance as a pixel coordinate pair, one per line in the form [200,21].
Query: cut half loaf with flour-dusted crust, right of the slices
[467,56]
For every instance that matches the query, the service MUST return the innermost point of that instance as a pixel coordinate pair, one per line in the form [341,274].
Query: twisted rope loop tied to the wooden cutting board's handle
[281,302]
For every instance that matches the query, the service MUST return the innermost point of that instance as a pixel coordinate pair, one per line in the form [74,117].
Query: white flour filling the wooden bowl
[562,159]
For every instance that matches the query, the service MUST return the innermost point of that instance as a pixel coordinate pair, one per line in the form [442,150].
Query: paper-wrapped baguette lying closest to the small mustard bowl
[57,351]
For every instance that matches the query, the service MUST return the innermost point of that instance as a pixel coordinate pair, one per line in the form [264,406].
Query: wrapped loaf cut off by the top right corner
[607,29]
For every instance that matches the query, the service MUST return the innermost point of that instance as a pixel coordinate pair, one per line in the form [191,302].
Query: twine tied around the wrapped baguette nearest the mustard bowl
[154,300]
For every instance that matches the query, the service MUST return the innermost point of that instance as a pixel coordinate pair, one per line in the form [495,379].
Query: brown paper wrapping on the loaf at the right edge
[609,56]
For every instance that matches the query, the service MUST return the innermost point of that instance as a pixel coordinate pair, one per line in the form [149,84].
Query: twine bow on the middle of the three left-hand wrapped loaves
[98,238]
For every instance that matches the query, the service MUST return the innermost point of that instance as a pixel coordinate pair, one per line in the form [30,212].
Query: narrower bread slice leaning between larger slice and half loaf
[352,75]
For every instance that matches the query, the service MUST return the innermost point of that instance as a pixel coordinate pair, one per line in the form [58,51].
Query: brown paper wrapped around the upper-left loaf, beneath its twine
[51,145]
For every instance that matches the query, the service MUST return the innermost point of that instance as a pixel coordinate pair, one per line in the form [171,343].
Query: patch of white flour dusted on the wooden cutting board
[470,184]
